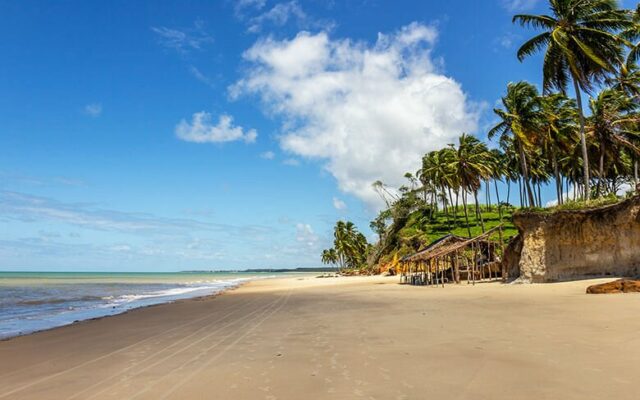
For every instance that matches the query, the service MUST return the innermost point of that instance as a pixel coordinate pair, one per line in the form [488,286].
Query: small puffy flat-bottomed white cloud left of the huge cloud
[202,130]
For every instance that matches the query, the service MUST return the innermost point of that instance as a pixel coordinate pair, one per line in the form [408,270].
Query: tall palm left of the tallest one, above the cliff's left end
[520,117]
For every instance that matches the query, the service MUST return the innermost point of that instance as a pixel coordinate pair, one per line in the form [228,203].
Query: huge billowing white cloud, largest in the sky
[369,111]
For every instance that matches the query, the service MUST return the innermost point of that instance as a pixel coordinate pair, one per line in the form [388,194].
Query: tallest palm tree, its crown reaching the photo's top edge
[582,45]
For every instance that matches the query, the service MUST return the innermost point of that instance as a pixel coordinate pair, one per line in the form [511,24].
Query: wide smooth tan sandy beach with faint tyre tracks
[343,338]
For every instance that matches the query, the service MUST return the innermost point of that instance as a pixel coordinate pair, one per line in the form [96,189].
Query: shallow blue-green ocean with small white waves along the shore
[34,301]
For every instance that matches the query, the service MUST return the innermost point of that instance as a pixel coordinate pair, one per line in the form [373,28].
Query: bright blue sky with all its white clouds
[182,135]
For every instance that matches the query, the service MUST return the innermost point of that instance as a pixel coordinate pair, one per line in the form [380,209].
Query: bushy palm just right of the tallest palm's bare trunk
[612,124]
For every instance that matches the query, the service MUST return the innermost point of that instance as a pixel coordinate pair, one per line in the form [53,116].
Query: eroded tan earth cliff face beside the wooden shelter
[567,245]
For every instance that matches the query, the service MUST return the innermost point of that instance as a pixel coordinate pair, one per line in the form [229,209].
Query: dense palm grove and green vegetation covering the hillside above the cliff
[590,46]
